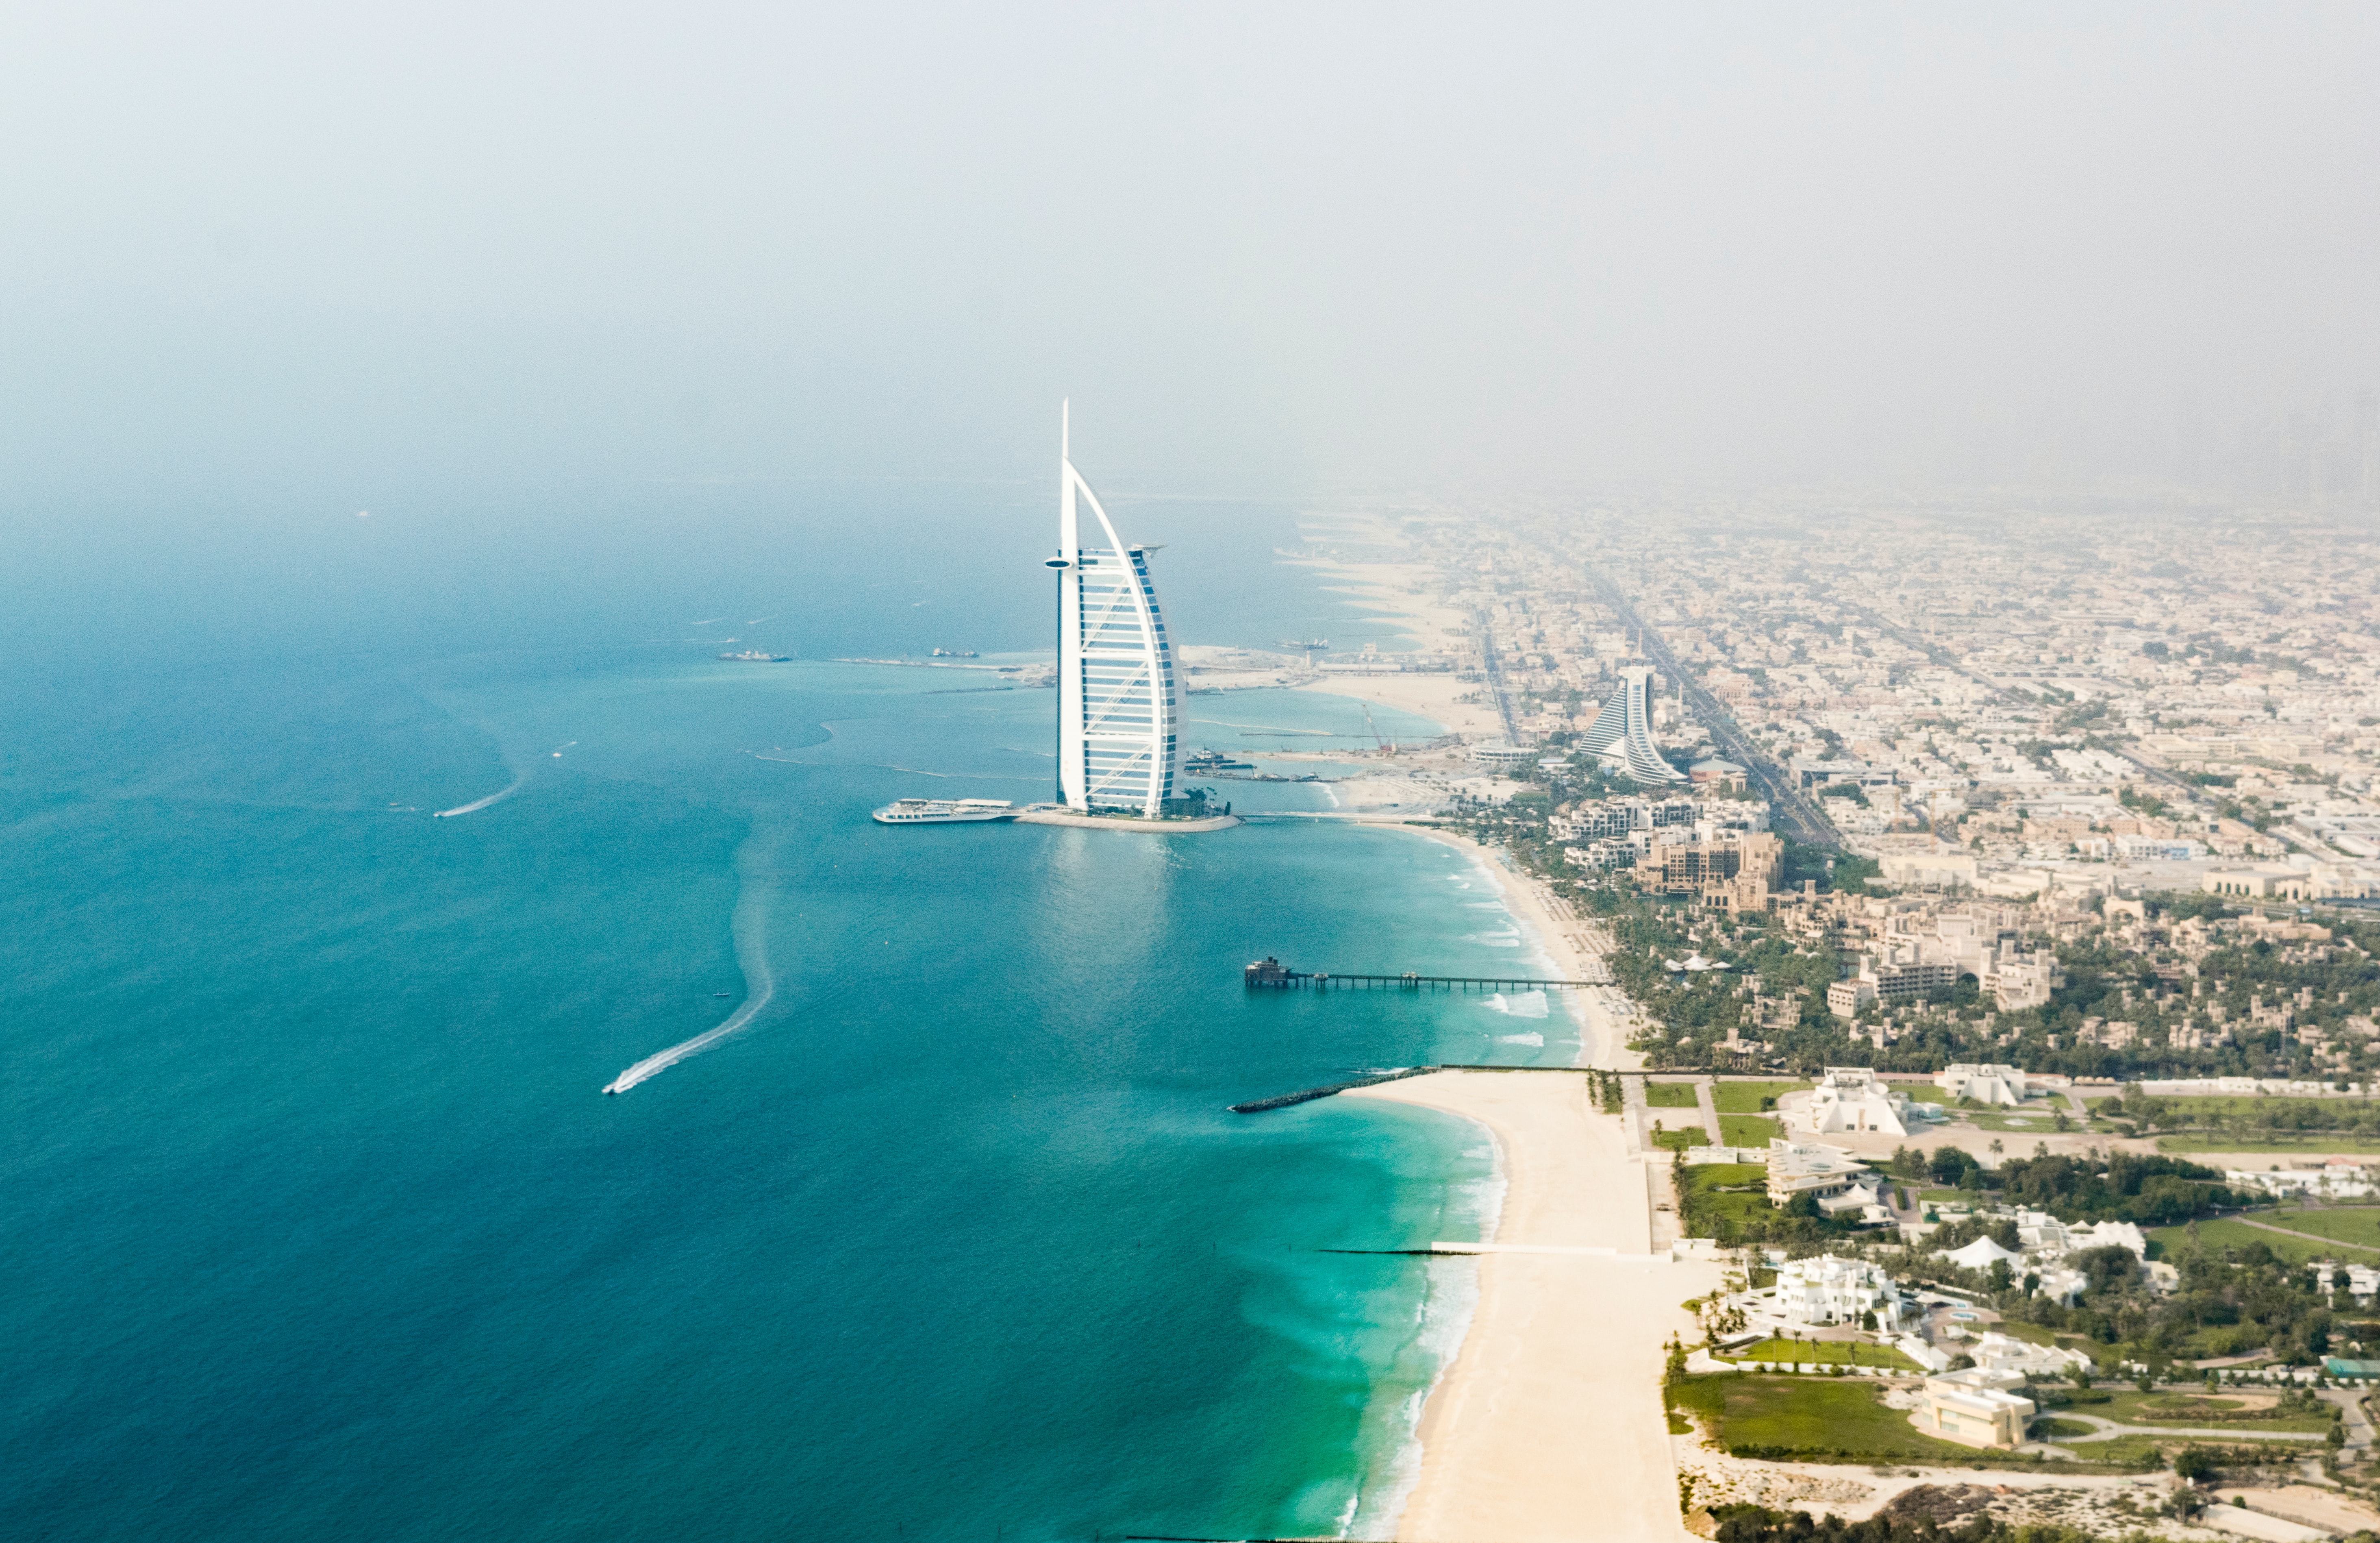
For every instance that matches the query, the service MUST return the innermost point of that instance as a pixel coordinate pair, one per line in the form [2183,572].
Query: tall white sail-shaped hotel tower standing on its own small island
[1120,694]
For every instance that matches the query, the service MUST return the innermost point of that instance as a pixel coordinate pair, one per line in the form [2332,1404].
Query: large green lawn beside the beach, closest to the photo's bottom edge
[1841,1420]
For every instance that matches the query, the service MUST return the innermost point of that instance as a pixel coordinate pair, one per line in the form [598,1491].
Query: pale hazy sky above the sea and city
[1260,246]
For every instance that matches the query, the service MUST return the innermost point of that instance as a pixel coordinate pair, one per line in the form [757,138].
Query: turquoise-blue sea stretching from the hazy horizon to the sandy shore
[322,1223]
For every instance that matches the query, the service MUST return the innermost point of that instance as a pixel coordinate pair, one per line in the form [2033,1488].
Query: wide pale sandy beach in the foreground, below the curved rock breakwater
[1548,1425]
